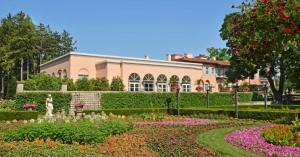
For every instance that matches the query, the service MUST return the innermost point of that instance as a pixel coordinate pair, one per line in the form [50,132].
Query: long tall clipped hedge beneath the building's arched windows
[161,100]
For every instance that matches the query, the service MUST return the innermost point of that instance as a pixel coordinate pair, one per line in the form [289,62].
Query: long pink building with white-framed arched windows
[143,74]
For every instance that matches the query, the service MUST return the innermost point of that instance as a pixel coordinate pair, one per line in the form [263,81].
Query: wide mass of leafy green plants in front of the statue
[83,132]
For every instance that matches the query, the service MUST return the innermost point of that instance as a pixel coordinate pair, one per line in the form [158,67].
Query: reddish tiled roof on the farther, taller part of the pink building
[204,61]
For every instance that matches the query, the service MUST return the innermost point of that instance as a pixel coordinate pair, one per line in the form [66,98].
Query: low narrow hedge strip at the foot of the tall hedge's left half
[134,111]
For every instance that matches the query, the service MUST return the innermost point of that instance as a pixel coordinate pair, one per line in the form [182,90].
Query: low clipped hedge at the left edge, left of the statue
[18,115]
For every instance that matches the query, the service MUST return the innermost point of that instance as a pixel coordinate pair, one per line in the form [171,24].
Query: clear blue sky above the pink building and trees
[131,27]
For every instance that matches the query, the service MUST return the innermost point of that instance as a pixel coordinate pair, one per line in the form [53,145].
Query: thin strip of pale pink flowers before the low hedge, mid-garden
[182,121]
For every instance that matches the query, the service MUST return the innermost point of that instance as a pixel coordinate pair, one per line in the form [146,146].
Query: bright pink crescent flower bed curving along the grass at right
[250,139]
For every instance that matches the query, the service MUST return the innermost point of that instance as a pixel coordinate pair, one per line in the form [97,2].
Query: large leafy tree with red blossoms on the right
[264,36]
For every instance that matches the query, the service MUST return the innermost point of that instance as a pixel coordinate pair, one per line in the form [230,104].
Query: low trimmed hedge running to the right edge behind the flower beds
[247,114]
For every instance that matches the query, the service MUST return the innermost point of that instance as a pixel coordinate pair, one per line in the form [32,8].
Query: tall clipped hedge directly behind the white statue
[60,100]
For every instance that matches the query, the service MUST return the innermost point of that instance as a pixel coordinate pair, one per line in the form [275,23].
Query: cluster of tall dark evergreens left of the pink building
[24,46]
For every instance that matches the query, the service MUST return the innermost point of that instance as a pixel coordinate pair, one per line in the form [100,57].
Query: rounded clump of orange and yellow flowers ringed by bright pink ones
[281,135]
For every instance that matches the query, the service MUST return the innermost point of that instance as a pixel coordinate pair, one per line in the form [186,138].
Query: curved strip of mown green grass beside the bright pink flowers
[215,140]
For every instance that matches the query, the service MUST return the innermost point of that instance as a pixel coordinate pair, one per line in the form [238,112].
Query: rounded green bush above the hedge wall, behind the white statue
[43,81]
